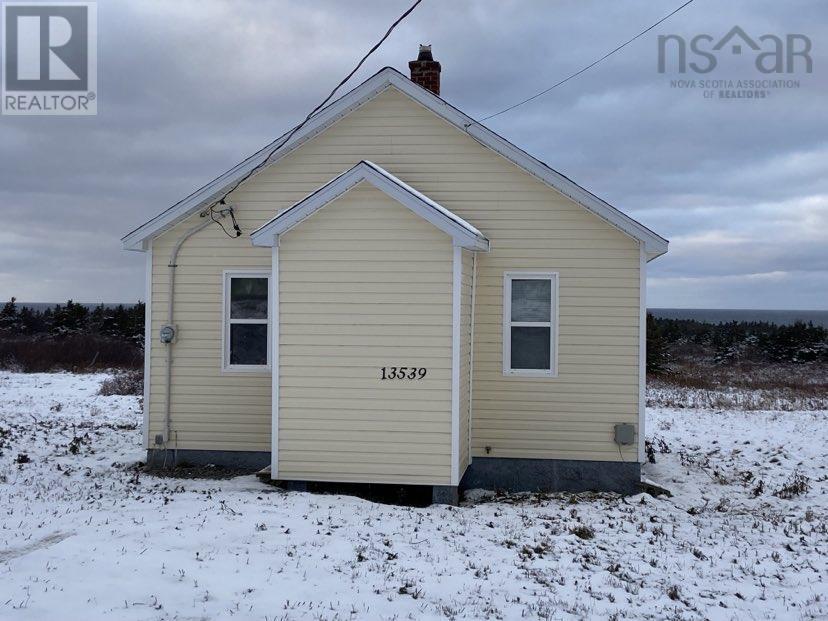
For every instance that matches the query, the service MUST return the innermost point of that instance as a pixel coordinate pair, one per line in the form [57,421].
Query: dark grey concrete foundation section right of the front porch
[552,475]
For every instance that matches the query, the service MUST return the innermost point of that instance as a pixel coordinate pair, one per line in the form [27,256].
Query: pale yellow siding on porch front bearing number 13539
[338,421]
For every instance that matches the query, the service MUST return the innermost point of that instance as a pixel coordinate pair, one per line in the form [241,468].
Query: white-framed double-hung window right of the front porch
[530,314]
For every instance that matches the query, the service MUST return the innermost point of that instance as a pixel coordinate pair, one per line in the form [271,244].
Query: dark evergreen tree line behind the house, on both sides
[75,337]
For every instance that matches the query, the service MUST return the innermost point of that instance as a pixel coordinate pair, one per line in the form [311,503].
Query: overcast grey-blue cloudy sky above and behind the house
[187,89]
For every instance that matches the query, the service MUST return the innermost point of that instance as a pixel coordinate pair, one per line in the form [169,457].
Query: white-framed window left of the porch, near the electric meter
[246,321]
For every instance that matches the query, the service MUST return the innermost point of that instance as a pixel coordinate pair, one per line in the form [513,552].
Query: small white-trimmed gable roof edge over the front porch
[463,233]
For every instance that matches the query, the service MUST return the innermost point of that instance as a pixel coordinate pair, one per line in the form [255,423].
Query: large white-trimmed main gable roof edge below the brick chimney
[654,245]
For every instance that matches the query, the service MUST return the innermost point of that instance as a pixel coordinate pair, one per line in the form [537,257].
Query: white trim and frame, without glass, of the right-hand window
[508,324]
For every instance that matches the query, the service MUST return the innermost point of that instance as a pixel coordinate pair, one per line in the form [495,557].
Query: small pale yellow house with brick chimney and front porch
[410,299]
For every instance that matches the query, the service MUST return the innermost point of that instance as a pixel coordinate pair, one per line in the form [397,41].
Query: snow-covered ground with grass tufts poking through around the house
[83,537]
